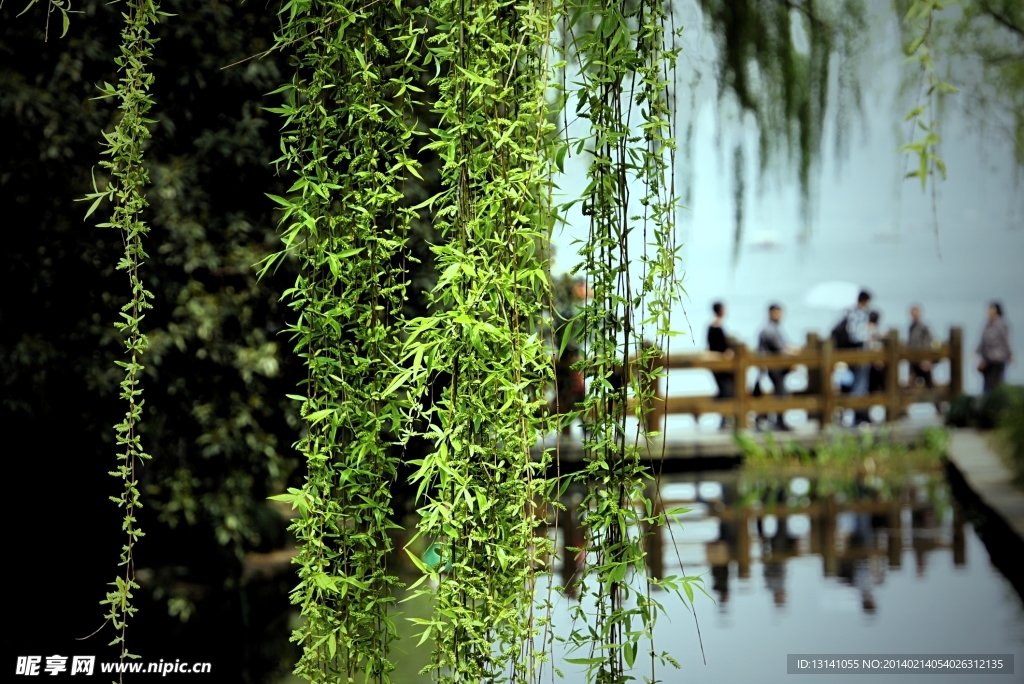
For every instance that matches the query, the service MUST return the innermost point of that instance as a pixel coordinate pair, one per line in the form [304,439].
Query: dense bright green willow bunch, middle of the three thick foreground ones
[479,487]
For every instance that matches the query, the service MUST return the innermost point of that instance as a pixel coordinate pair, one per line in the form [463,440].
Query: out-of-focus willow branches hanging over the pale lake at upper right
[792,64]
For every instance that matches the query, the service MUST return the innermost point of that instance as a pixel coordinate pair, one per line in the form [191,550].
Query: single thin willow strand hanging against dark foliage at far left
[125,147]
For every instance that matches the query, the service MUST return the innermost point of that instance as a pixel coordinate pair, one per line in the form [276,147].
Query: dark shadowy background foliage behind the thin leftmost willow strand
[217,419]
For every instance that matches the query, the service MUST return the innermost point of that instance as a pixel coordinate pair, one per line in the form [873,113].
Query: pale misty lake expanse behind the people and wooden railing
[869,225]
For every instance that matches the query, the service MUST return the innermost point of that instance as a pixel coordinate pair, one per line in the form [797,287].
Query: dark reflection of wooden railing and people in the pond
[859,533]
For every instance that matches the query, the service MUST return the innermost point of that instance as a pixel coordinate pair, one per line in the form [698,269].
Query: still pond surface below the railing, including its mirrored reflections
[812,566]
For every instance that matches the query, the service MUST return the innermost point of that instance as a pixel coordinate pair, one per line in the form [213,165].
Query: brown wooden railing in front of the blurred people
[819,400]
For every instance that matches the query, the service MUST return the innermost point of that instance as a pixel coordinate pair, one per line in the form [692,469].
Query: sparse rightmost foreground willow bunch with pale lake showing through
[626,65]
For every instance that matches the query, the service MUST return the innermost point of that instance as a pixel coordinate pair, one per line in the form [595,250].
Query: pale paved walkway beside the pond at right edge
[989,478]
